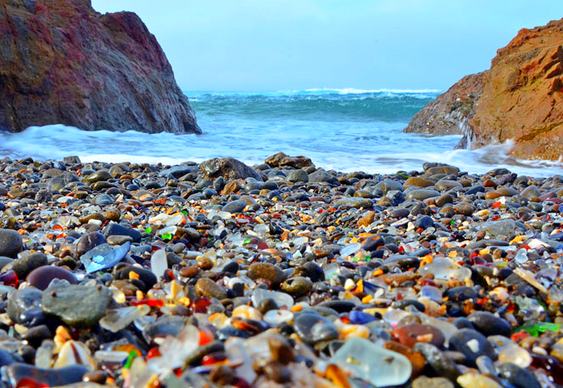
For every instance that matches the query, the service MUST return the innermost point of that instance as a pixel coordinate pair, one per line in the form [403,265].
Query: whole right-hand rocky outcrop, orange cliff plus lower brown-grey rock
[520,98]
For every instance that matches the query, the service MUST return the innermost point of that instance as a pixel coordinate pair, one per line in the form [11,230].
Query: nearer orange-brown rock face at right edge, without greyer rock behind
[523,96]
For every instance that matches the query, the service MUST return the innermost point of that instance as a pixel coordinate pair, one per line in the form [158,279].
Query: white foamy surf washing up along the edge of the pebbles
[58,141]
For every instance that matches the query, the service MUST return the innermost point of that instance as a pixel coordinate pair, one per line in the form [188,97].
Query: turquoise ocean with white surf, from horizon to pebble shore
[341,129]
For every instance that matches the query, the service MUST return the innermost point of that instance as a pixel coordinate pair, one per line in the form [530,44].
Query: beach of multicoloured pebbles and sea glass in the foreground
[276,275]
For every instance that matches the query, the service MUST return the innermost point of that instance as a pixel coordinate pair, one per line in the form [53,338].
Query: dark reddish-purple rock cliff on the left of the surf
[61,62]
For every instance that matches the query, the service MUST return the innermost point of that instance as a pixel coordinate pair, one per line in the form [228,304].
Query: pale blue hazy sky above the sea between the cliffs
[270,45]
